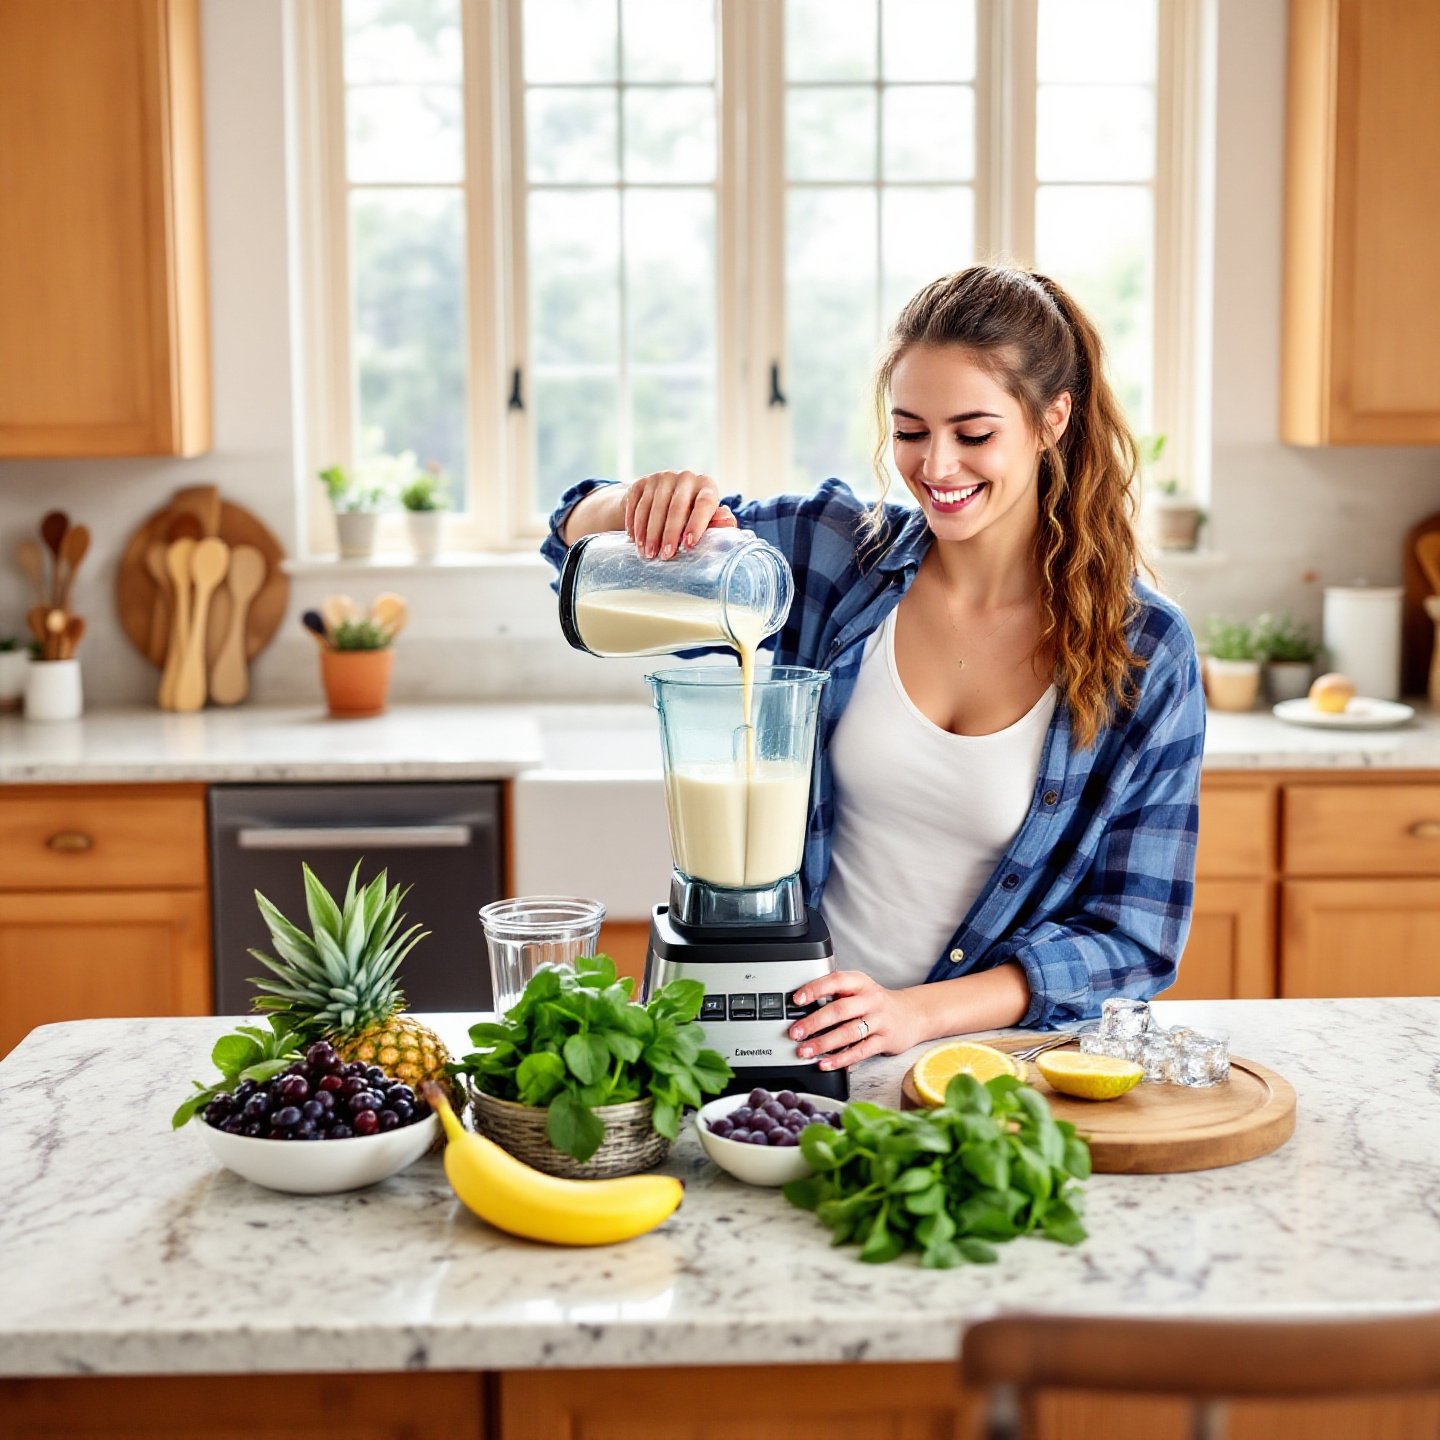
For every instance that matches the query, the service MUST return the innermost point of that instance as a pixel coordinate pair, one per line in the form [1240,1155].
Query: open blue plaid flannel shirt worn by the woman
[1094,896]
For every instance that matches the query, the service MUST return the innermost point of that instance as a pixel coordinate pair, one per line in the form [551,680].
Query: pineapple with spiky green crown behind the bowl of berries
[339,983]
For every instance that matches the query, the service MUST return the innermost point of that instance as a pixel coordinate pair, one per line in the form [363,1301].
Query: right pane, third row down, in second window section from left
[670,277]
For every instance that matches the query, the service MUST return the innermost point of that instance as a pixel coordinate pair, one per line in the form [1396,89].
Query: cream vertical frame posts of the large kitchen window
[752,436]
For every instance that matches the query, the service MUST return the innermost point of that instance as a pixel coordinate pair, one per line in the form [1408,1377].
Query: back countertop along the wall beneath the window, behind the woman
[476,742]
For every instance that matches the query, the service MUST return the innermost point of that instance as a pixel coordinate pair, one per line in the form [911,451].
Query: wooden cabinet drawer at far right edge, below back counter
[1363,830]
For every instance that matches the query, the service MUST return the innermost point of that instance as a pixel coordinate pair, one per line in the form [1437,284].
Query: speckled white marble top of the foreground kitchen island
[127,1251]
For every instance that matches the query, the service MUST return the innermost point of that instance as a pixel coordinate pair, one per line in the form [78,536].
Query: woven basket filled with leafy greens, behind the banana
[581,1081]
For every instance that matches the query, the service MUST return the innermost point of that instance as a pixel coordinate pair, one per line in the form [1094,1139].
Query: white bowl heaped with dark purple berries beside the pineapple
[371,1125]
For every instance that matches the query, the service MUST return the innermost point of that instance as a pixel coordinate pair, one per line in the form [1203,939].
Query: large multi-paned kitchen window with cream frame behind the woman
[557,238]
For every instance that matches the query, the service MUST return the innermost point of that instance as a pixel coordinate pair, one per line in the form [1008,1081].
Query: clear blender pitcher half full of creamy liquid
[738,796]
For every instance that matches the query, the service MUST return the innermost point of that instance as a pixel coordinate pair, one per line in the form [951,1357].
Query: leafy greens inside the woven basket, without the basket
[575,1040]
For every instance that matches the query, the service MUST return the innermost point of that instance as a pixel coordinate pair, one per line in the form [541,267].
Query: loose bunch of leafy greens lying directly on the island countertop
[990,1164]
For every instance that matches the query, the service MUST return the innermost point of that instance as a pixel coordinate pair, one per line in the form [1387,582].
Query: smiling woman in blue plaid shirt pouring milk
[1006,809]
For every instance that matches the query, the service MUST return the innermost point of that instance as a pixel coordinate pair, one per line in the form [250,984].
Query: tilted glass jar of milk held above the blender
[731,590]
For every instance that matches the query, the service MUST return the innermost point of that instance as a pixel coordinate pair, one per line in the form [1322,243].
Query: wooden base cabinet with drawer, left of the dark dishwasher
[104,905]
